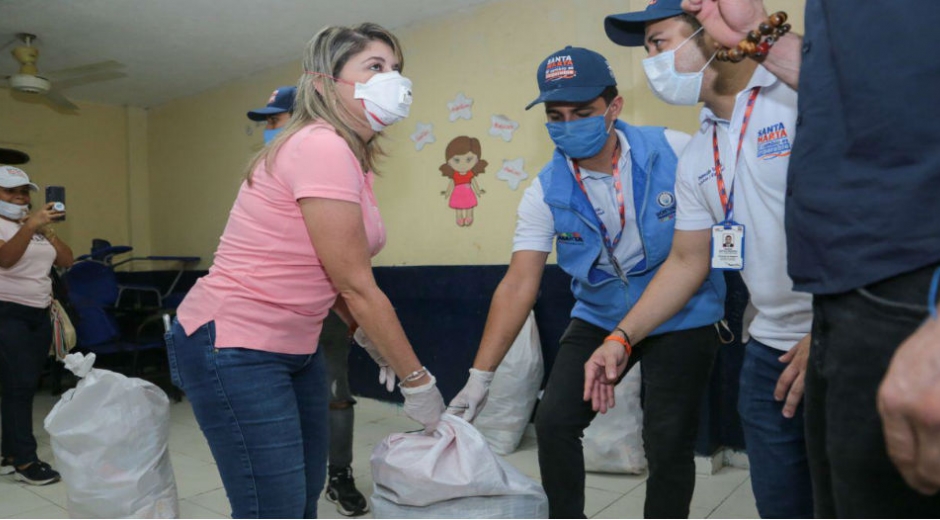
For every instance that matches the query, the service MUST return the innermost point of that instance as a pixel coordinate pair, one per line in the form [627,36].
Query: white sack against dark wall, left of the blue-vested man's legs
[513,392]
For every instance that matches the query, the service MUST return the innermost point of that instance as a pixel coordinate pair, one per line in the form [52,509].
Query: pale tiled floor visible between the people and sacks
[726,494]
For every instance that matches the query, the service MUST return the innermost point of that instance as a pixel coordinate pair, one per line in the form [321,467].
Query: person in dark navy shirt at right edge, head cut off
[864,238]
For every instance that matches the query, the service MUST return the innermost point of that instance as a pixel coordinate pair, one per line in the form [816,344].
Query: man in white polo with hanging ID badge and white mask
[735,191]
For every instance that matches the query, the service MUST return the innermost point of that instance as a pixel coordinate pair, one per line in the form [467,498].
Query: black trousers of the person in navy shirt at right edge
[855,335]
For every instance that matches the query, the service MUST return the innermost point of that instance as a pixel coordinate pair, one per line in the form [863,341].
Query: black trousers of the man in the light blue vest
[676,369]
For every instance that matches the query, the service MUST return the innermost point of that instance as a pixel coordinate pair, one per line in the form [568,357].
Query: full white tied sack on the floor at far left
[109,436]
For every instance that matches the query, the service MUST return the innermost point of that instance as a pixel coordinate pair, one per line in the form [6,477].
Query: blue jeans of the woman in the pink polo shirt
[265,417]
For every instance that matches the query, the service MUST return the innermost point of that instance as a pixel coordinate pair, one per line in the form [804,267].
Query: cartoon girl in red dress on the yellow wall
[463,164]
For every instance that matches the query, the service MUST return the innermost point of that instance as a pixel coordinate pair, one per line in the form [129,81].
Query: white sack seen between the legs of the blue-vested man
[613,443]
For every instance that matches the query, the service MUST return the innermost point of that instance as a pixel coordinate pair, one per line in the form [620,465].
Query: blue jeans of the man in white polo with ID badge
[776,446]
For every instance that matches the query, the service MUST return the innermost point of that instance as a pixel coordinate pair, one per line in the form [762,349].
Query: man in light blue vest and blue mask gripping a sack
[606,200]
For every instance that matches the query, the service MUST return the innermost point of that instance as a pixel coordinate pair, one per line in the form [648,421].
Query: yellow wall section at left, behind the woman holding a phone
[85,152]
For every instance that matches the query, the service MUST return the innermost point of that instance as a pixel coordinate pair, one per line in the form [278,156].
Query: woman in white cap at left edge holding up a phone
[29,248]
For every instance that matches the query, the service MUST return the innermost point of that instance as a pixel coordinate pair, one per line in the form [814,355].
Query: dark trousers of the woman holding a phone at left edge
[25,337]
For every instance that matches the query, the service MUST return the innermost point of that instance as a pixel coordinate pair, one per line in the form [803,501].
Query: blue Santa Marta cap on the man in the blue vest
[573,74]
